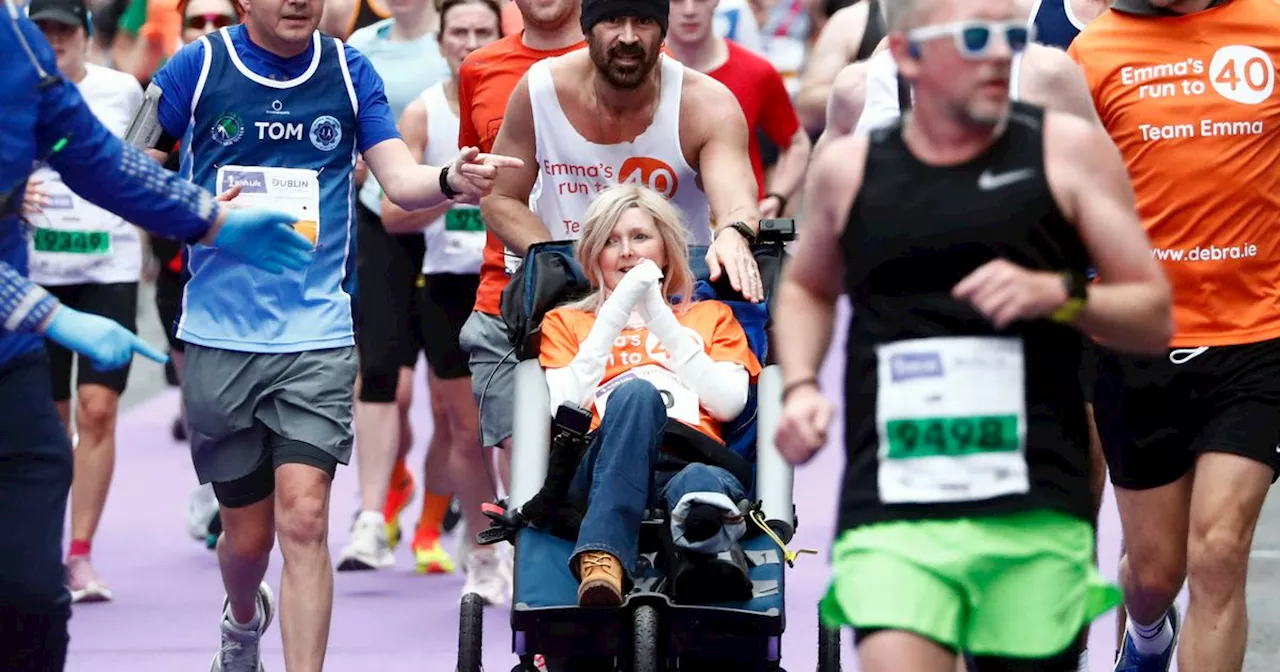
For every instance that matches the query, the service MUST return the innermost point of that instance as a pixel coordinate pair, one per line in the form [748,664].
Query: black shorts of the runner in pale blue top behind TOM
[388,324]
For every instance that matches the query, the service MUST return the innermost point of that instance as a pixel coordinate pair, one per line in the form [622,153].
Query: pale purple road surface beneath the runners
[168,592]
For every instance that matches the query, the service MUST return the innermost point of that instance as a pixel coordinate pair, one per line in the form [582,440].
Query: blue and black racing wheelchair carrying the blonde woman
[651,632]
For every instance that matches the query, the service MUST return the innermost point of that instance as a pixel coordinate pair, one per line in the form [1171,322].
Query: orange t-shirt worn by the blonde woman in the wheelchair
[637,354]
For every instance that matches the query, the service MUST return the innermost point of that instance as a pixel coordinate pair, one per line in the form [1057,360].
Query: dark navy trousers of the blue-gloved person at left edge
[35,481]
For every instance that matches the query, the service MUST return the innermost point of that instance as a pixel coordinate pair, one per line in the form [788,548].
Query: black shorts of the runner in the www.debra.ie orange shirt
[1156,415]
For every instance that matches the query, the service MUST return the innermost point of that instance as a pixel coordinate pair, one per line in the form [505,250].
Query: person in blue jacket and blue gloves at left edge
[48,121]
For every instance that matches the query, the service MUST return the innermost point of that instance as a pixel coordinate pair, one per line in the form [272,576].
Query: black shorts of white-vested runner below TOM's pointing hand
[447,303]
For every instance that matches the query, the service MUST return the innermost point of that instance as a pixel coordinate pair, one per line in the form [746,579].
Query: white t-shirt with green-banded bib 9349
[72,240]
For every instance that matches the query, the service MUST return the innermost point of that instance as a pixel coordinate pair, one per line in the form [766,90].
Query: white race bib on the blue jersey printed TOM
[292,191]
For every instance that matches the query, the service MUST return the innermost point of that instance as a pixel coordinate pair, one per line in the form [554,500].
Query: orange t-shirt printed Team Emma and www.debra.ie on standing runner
[1192,104]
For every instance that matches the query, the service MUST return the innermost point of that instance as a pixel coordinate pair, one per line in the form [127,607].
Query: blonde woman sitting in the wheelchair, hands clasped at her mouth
[662,374]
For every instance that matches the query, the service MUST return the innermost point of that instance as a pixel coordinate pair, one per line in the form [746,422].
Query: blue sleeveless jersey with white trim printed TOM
[244,120]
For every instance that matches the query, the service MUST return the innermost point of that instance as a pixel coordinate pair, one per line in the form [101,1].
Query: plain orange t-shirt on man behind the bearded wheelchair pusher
[486,83]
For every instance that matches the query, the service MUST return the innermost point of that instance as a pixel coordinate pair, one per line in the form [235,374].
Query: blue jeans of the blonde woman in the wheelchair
[618,476]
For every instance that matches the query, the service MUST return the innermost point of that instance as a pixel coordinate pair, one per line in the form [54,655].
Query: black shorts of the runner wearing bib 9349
[116,301]
